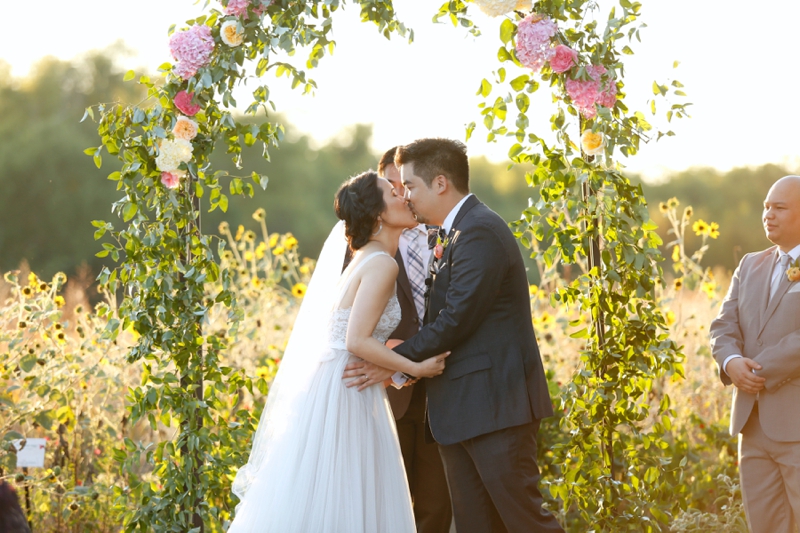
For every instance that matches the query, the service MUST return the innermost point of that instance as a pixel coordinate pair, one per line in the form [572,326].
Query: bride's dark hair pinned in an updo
[359,202]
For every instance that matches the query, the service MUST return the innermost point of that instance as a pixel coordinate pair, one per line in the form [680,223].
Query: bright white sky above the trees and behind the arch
[739,66]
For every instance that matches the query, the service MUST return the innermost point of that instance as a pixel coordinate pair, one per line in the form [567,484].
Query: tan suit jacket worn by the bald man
[767,331]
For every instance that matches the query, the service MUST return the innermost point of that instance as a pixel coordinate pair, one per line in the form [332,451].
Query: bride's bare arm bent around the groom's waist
[372,294]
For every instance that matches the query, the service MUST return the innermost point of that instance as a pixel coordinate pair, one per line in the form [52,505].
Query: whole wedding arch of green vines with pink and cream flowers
[613,474]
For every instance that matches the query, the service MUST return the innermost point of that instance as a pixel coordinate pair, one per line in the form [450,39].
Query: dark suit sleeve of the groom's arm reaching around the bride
[478,266]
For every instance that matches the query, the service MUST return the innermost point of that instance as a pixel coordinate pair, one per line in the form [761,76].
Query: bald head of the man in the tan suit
[782,213]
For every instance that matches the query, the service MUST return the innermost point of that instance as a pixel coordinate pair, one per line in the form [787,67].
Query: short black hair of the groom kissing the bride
[437,157]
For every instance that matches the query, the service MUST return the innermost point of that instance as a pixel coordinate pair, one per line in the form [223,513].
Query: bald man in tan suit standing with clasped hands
[755,340]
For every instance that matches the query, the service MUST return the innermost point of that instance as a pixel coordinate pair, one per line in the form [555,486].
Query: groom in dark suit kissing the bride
[485,409]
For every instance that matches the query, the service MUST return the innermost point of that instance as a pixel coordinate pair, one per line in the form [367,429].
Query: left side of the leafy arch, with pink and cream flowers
[165,263]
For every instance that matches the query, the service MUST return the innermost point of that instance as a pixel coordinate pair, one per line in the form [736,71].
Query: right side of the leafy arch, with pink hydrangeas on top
[614,476]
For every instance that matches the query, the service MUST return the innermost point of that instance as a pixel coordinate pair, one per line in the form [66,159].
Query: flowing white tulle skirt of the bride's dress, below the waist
[337,470]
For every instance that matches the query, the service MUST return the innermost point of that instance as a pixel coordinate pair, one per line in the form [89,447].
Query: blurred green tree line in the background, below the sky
[50,191]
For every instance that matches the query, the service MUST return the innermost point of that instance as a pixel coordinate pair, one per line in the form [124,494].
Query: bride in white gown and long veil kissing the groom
[325,457]
